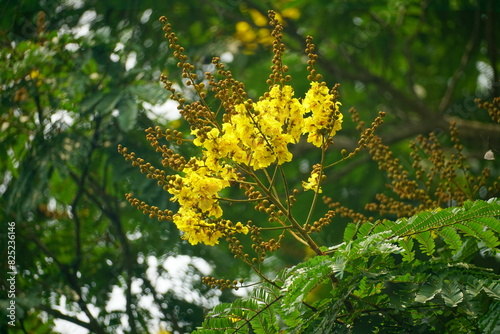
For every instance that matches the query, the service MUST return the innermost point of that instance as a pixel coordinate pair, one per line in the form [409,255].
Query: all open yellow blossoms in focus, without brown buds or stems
[255,136]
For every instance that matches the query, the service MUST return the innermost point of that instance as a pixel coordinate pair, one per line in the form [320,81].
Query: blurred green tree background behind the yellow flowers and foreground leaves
[79,77]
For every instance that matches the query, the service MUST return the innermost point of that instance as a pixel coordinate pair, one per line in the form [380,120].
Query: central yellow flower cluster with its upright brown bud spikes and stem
[238,146]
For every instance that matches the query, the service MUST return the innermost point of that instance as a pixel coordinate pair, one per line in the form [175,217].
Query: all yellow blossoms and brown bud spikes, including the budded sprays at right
[244,143]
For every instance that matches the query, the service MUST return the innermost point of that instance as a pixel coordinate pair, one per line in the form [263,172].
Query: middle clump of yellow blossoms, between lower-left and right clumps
[257,135]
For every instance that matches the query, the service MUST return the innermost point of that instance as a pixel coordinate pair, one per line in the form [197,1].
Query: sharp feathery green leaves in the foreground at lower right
[381,282]
